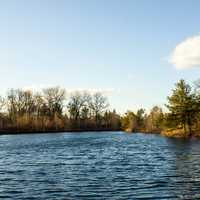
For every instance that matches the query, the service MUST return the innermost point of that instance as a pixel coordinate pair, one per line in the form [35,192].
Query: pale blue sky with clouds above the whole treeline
[133,51]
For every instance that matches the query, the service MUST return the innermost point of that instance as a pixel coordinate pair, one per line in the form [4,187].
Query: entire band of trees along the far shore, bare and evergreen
[51,111]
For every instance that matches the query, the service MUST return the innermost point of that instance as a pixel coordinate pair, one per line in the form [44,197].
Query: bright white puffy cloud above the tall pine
[187,53]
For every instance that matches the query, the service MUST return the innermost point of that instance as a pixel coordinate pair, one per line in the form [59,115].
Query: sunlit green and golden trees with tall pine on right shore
[181,119]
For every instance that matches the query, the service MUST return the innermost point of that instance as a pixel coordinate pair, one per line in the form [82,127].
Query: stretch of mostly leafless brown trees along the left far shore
[50,110]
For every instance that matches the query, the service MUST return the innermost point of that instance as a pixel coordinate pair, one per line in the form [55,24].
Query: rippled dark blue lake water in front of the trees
[98,165]
